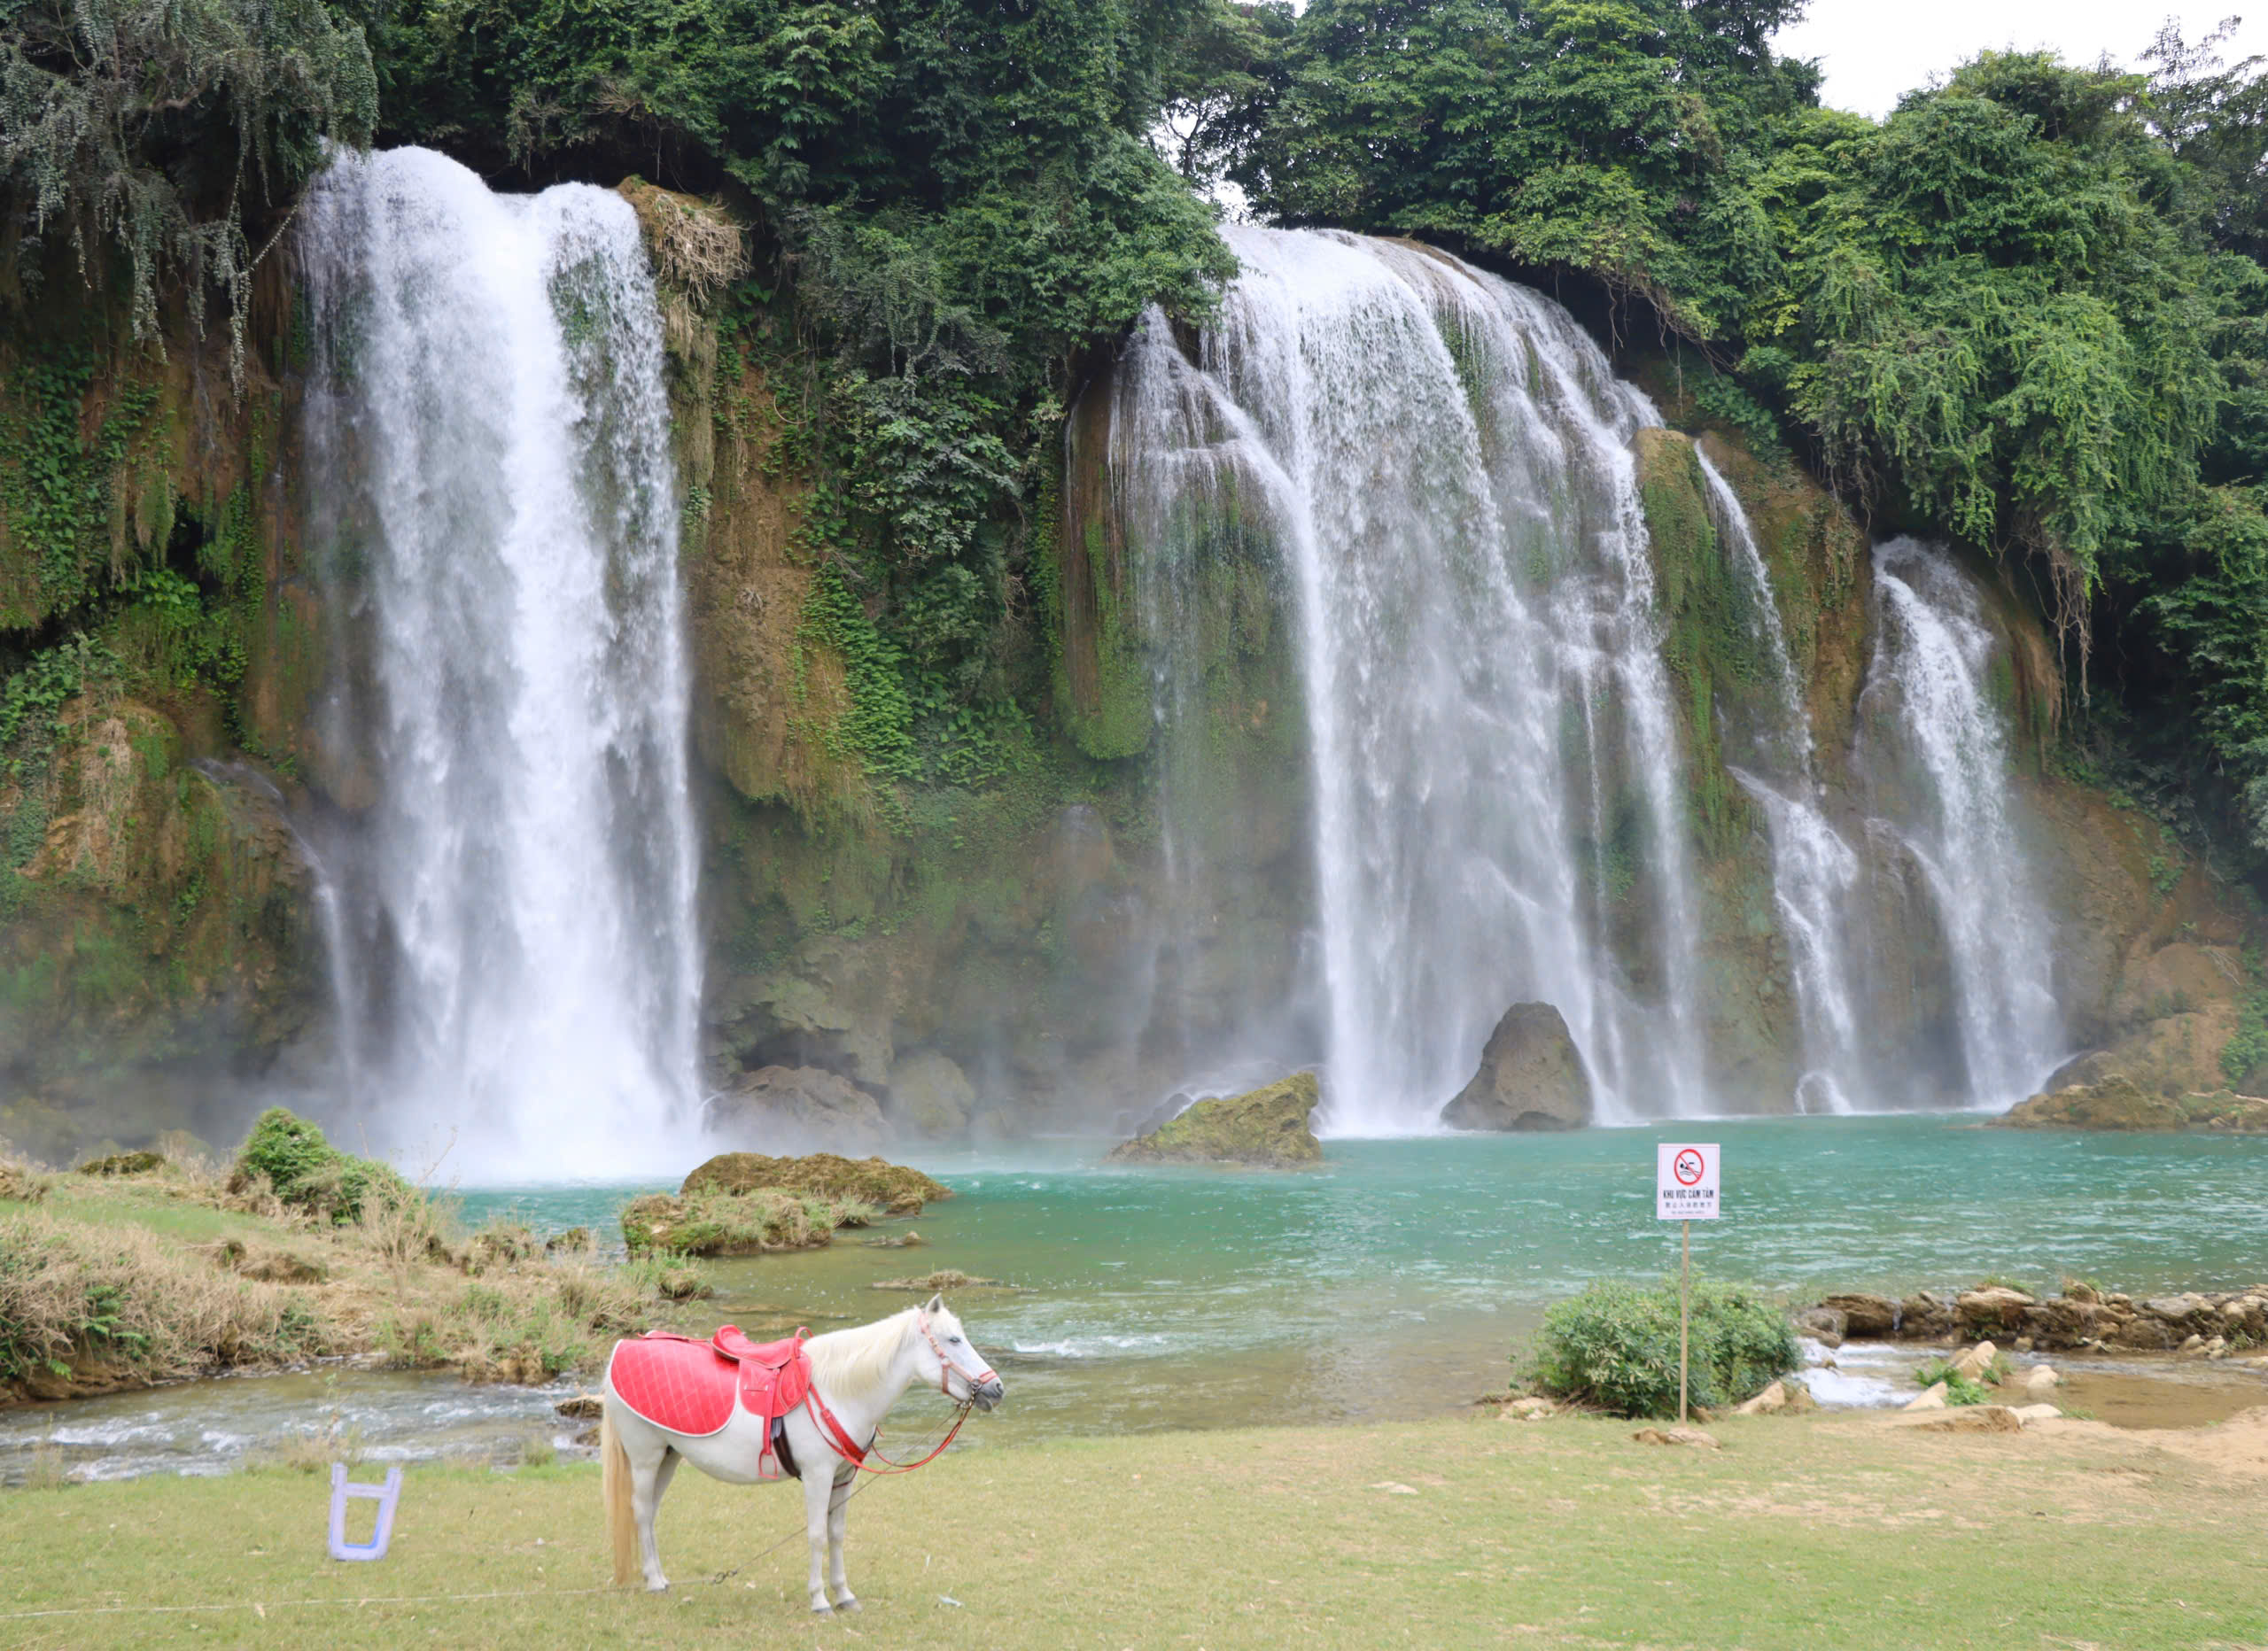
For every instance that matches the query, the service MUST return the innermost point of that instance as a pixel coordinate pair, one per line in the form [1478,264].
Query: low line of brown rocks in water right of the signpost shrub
[2081,1319]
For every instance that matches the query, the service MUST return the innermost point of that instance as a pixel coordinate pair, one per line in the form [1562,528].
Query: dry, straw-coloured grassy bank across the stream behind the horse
[192,1269]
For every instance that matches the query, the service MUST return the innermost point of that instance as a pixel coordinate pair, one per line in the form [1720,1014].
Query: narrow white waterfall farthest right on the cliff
[1938,759]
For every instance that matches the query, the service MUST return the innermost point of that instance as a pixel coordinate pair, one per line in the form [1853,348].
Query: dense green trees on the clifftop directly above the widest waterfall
[1589,135]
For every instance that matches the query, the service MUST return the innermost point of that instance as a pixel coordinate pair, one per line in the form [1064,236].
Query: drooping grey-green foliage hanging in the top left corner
[162,135]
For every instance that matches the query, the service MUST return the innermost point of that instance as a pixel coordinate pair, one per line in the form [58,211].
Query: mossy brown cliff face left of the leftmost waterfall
[158,931]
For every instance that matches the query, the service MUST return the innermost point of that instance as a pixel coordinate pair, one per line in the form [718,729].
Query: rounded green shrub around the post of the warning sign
[1616,1346]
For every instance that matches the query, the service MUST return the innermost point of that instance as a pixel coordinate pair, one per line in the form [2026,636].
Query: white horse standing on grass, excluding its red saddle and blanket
[856,1375]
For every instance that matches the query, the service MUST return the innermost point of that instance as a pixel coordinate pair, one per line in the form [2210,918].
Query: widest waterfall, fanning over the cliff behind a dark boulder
[1444,468]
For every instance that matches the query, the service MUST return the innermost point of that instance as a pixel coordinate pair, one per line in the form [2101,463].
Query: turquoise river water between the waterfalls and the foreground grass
[1398,1280]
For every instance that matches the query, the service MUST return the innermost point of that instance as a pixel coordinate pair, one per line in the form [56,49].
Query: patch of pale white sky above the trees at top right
[1872,51]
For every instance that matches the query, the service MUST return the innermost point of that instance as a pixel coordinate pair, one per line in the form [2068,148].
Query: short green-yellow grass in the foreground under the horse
[1800,1534]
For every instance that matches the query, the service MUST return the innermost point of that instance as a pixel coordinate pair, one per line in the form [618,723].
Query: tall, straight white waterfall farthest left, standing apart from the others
[493,518]
